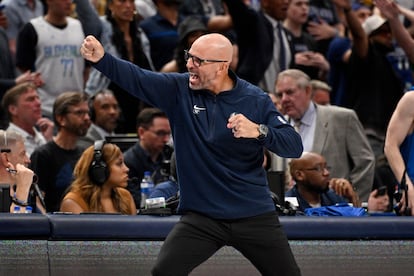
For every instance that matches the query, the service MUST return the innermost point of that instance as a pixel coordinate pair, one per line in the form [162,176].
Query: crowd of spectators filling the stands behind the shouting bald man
[335,69]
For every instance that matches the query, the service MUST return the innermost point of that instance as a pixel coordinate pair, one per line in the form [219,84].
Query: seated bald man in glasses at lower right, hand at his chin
[314,187]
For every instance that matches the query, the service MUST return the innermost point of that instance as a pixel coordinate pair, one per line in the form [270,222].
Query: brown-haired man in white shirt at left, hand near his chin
[23,107]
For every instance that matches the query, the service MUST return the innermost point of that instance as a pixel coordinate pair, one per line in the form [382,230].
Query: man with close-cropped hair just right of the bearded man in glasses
[104,113]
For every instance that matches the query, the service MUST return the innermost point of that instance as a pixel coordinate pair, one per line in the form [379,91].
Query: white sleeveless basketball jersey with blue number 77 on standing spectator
[58,59]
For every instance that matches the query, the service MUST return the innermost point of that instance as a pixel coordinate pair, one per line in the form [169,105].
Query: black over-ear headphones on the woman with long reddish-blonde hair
[98,170]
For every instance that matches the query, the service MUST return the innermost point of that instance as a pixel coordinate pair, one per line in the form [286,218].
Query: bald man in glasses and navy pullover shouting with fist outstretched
[220,125]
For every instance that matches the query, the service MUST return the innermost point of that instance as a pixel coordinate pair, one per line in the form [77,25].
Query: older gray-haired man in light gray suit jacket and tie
[334,132]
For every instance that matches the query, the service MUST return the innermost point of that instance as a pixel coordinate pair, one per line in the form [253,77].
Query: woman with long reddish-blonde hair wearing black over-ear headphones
[100,179]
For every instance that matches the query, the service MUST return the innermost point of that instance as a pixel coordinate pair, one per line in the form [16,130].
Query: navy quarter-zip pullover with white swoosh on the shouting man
[219,175]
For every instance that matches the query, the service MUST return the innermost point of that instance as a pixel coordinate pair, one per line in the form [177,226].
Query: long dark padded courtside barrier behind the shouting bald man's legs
[99,244]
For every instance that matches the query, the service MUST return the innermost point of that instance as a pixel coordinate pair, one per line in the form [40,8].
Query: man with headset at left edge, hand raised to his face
[14,171]
